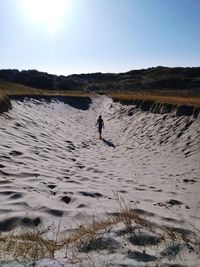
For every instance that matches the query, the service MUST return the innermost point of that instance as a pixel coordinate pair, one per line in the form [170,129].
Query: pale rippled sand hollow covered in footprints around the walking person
[53,165]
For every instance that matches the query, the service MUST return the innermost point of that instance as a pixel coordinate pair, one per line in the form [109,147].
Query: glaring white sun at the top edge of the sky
[45,12]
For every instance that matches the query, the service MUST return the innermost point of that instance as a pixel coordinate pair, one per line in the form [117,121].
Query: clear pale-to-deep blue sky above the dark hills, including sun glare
[84,36]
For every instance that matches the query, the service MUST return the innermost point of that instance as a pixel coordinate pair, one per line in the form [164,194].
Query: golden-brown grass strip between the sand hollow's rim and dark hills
[178,97]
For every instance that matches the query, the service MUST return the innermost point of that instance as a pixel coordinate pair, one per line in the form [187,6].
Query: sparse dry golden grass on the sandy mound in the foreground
[157,241]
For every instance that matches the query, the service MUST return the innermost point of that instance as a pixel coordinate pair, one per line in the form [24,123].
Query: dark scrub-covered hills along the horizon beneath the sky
[159,78]
